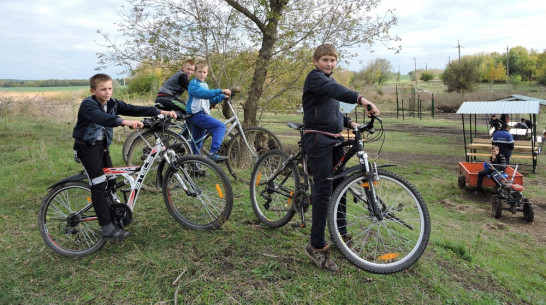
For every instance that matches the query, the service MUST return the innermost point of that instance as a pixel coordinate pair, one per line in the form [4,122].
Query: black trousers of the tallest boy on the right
[322,156]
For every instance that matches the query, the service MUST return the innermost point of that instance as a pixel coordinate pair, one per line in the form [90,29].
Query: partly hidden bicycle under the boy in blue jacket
[241,145]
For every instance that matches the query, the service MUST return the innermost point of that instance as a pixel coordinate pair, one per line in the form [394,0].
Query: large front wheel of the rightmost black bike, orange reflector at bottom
[384,246]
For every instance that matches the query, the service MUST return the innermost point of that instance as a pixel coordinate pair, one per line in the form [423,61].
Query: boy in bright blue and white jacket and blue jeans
[200,100]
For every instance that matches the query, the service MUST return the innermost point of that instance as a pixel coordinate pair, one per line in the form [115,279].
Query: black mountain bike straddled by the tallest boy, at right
[384,214]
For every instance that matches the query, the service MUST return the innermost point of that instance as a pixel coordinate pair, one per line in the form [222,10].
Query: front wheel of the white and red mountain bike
[208,203]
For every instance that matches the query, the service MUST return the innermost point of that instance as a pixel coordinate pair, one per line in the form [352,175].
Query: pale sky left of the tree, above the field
[44,39]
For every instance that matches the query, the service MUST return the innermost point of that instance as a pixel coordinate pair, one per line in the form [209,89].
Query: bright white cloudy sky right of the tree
[430,30]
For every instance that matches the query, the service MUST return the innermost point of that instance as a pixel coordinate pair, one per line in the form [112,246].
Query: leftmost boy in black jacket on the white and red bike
[93,133]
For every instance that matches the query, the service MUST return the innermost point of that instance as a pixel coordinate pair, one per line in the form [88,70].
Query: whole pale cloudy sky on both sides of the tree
[41,39]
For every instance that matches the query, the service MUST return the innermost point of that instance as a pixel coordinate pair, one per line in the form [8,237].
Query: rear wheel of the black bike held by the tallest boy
[272,198]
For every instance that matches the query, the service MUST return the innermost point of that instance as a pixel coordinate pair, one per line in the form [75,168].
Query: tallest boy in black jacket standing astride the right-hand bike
[323,124]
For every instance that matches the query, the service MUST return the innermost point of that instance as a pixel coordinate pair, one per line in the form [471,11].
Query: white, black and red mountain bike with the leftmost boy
[196,192]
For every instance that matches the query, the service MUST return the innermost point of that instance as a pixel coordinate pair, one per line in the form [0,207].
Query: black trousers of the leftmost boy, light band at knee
[94,158]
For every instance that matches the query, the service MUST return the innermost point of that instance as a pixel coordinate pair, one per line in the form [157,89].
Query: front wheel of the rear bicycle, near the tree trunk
[240,161]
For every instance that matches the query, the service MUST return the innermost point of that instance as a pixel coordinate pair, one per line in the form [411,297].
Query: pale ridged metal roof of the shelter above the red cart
[524,107]
